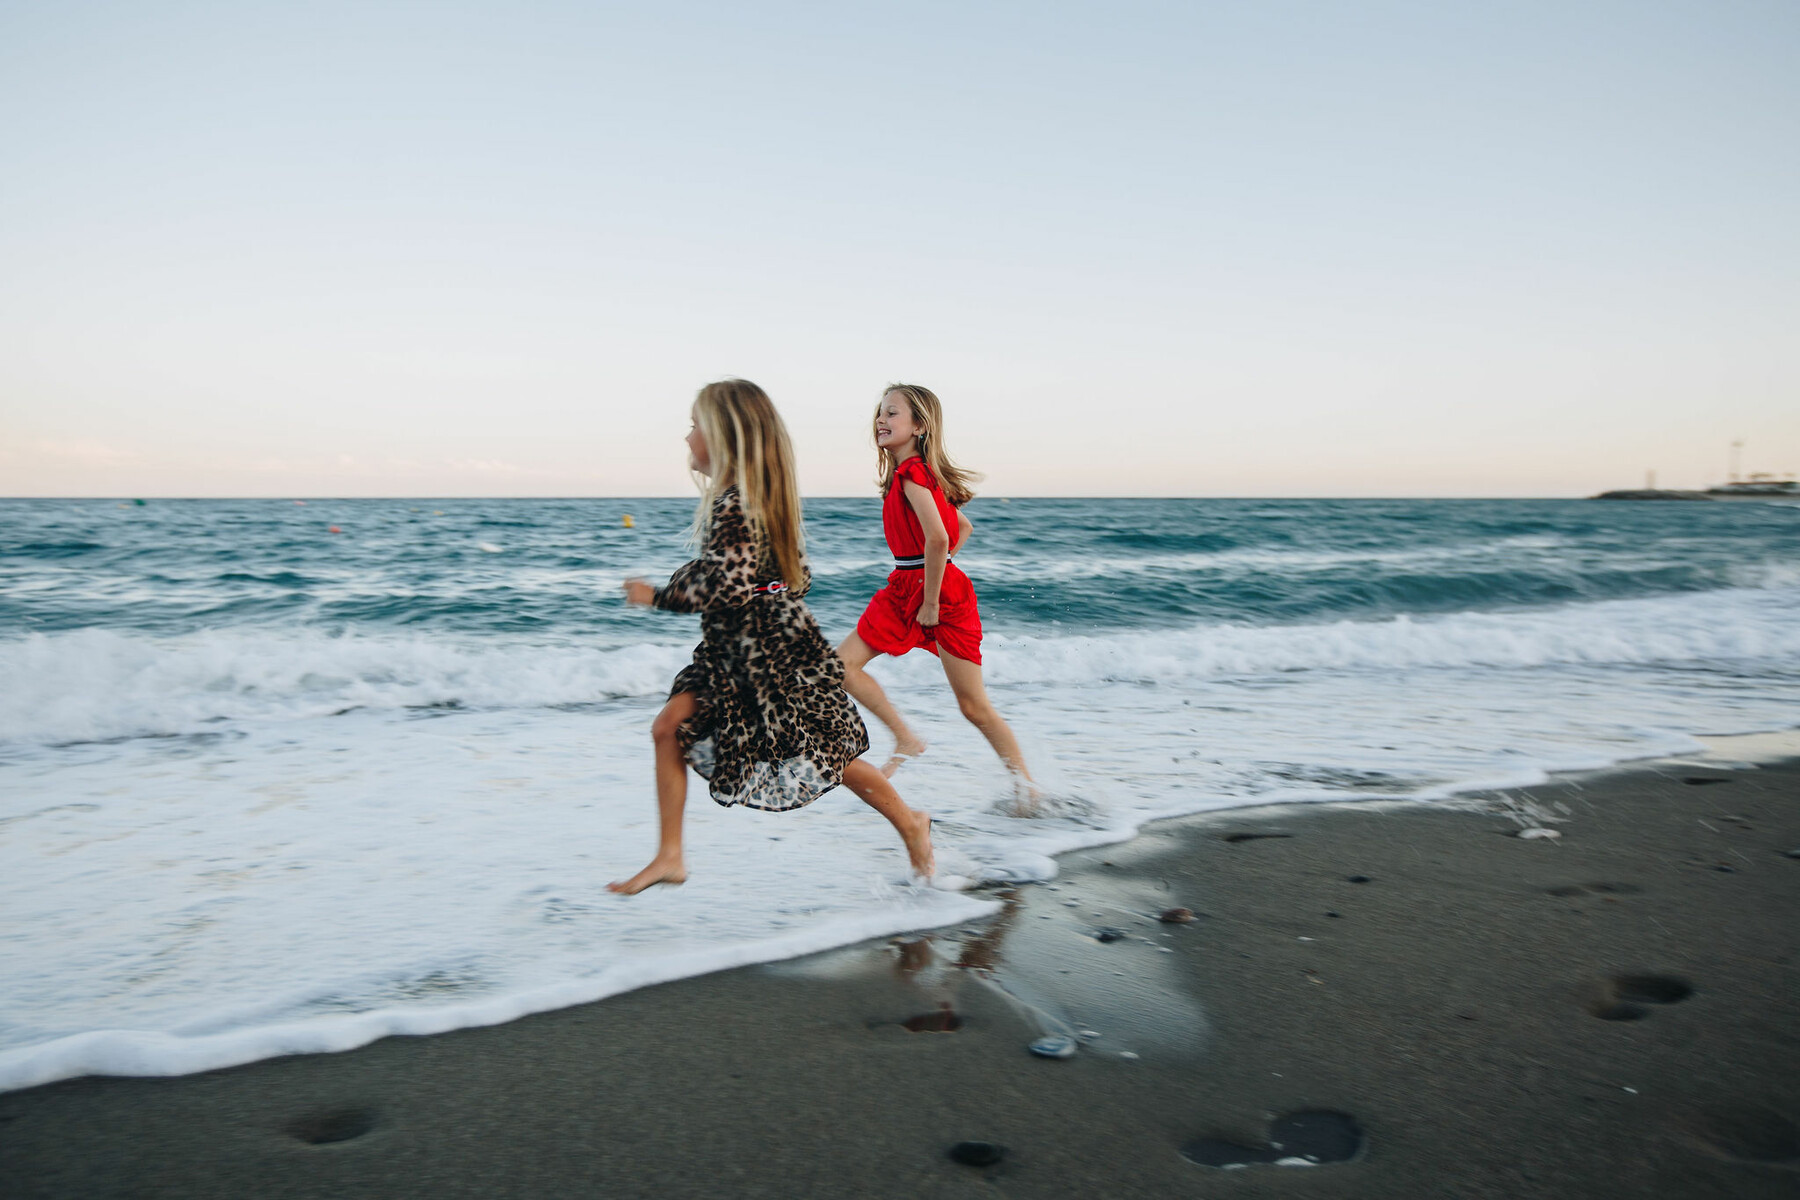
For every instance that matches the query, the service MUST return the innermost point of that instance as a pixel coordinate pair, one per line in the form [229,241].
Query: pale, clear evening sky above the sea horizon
[1205,247]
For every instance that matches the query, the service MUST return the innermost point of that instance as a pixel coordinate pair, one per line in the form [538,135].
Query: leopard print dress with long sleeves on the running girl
[773,726]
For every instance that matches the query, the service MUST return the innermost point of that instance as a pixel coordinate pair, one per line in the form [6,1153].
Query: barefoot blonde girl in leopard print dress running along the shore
[762,712]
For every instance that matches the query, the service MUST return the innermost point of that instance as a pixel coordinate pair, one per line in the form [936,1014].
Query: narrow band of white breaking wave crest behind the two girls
[98,685]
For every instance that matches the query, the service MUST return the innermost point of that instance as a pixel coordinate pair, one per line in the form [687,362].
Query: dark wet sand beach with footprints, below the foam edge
[1450,1008]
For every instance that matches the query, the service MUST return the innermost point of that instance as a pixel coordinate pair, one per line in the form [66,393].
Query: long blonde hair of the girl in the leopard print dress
[750,449]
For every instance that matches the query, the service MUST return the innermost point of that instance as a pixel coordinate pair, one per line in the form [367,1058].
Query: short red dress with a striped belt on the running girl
[890,625]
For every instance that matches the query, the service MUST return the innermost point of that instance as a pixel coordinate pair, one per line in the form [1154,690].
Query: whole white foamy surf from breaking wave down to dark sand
[294,881]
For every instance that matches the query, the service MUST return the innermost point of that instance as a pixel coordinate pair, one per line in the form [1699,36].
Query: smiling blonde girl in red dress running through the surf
[928,602]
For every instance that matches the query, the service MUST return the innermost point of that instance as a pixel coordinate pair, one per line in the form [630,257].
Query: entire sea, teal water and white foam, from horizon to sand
[267,787]
